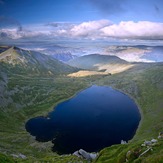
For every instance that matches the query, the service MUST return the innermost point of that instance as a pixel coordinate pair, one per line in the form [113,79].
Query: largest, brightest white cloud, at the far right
[134,30]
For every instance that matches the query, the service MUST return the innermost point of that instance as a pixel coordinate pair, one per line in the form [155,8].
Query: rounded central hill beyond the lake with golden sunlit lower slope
[103,64]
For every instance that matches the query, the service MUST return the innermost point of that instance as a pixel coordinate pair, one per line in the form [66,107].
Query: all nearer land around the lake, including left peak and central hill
[32,83]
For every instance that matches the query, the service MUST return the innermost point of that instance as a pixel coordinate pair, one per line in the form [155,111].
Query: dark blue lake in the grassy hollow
[93,119]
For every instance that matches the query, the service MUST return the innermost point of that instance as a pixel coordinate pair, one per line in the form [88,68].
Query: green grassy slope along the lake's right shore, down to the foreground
[144,84]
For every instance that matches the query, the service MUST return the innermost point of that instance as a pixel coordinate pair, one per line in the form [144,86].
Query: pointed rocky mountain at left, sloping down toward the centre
[20,61]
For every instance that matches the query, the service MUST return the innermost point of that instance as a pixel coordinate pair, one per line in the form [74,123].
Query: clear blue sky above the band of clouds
[43,11]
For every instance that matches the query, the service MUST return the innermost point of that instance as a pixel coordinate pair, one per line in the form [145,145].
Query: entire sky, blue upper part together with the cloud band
[81,19]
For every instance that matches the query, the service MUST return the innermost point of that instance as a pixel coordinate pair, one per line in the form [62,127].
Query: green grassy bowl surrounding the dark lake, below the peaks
[23,97]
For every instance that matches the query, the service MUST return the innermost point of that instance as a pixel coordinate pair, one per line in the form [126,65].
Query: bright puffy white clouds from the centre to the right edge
[123,30]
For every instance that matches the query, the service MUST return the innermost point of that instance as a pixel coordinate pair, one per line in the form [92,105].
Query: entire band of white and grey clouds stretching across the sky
[100,29]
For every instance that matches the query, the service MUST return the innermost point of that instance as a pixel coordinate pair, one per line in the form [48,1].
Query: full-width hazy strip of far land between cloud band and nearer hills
[65,50]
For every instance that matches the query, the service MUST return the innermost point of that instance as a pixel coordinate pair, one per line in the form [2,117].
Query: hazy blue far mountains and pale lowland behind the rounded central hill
[130,53]
